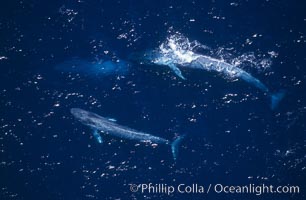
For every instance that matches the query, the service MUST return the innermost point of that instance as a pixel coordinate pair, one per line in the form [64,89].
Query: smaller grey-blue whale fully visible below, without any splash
[98,123]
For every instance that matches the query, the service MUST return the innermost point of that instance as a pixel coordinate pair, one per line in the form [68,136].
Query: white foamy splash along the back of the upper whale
[179,49]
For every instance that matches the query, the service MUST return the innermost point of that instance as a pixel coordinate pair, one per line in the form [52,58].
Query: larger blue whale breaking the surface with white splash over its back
[178,52]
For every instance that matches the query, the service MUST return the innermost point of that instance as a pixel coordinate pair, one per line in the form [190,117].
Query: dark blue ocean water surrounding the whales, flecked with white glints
[233,138]
